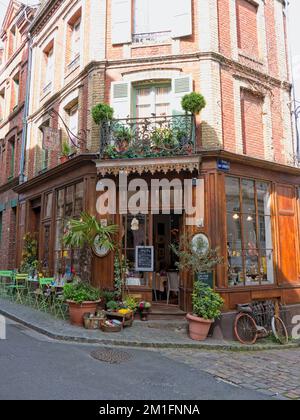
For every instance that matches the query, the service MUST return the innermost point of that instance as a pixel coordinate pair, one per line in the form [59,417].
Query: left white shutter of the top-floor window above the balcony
[121,21]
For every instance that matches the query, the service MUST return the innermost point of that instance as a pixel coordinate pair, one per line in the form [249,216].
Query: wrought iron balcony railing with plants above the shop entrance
[148,137]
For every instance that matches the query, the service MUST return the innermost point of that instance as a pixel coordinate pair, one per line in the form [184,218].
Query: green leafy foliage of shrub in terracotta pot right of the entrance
[206,303]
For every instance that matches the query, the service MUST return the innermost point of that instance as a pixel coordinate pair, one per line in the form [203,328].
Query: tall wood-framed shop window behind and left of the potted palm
[69,204]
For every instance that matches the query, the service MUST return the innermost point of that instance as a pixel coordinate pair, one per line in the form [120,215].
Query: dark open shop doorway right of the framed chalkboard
[166,280]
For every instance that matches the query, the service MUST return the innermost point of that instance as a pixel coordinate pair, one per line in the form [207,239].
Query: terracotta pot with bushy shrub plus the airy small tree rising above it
[197,257]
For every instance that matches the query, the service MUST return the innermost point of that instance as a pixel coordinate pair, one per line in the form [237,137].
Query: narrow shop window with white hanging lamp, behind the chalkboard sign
[135,230]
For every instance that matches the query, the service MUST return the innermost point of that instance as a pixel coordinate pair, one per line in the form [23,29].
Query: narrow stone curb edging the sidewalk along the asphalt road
[136,344]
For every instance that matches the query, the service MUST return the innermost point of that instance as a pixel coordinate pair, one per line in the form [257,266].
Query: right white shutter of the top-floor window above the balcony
[182,18]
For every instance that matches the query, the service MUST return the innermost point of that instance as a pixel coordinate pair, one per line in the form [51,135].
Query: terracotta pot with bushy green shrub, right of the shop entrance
[207,306]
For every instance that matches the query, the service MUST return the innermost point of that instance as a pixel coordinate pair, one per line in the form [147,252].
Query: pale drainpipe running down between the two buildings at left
[22,177]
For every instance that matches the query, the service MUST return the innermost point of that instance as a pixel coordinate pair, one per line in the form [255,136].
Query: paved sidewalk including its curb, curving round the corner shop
[156,334]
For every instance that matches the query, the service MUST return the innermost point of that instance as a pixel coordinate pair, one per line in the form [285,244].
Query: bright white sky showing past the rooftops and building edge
[294,36]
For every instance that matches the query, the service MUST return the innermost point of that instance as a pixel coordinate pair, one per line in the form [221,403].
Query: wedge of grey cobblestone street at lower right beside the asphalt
[273,373]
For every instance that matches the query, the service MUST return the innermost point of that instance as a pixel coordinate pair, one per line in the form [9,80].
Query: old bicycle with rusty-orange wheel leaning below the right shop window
[258,320]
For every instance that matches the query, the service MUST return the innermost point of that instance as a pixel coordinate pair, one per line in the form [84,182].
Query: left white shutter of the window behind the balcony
[121,99]
